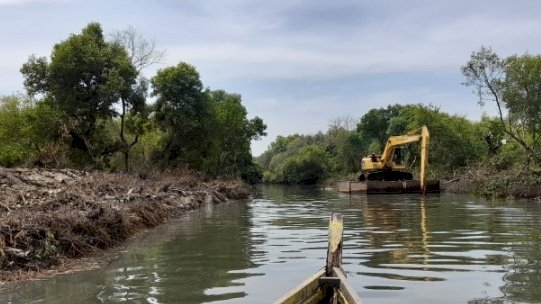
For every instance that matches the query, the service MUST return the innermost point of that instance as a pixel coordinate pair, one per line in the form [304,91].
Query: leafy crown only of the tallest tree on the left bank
[85,77]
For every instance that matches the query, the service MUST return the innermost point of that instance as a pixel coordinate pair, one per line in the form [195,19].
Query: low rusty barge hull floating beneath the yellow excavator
[387,187]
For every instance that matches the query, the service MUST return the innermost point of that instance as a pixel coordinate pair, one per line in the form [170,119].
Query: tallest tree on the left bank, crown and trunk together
[85,78]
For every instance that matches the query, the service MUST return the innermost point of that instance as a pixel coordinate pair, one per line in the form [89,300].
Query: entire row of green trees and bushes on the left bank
[88,106]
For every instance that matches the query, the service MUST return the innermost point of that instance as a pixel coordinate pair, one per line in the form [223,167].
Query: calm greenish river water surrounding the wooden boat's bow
[397,249]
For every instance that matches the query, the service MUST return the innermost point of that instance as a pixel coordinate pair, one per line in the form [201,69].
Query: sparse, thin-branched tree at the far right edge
[513,85]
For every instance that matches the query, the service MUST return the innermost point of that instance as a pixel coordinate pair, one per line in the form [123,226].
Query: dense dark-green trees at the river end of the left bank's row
[204,130]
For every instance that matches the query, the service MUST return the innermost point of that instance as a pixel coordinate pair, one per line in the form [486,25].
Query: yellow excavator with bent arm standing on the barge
[390,166]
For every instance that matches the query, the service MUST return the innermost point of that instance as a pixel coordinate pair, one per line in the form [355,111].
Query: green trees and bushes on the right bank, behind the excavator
[500,155]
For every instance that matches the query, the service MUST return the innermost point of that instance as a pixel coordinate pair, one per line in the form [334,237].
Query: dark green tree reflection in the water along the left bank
[200,258]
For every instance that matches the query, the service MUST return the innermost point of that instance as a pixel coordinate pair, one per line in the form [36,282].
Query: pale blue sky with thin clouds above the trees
[298,64]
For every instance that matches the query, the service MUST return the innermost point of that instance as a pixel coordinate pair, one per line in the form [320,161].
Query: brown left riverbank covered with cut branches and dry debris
[50,219]
